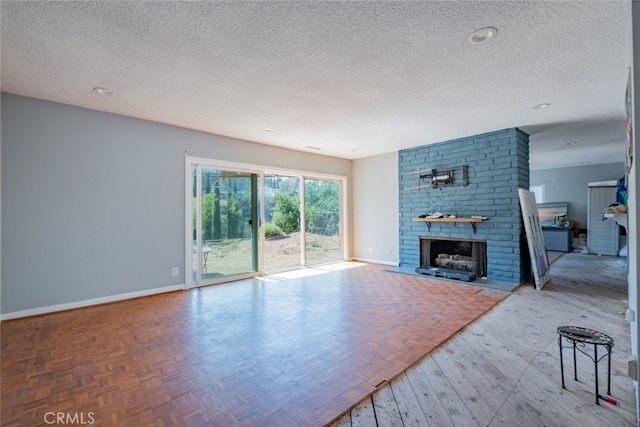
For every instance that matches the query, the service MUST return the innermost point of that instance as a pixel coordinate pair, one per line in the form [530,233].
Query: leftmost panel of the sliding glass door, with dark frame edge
[224,230]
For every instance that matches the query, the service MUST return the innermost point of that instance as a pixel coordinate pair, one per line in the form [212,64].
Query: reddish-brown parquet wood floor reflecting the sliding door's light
[296,349]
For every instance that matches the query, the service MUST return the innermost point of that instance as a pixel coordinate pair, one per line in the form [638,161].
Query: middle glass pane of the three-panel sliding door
[282,223]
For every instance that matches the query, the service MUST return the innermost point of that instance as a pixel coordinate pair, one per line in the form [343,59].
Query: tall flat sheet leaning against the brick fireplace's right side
[535,240]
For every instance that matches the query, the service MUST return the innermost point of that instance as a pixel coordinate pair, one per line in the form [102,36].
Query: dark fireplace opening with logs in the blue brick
[453,258]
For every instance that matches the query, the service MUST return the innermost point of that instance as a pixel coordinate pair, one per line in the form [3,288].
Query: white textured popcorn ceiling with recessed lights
[353,79]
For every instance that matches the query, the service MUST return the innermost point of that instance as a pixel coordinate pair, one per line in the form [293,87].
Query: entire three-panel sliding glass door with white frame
[241,222]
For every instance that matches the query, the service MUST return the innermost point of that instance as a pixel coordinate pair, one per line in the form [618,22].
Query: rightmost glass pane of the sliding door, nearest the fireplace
[322,221]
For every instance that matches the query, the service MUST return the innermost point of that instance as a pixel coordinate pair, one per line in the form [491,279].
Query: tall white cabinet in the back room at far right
[603,236]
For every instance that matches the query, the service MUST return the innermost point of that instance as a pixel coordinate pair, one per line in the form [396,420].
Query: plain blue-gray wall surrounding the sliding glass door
[93,204]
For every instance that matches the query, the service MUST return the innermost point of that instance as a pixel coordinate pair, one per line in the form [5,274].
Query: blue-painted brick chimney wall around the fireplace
[498,164]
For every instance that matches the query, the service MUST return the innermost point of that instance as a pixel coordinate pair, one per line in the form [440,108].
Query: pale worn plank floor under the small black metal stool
[504,368]
